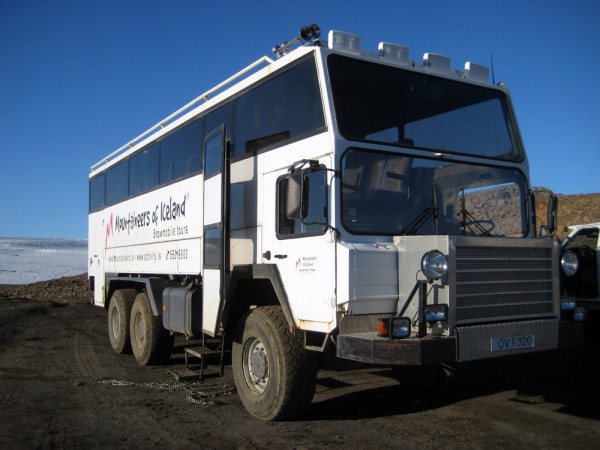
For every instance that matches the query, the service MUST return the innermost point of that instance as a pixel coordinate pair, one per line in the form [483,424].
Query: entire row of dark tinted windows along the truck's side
[286,106]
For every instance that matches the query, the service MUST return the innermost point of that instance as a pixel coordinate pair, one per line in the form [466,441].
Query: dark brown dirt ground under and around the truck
[61,385]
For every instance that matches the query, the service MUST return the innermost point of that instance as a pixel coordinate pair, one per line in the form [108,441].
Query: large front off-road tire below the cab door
[274,375]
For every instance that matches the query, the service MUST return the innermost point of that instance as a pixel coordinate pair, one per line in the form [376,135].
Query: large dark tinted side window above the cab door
[286,106]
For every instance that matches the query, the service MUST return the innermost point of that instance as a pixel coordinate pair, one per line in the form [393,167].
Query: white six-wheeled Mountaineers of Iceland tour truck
[333,198]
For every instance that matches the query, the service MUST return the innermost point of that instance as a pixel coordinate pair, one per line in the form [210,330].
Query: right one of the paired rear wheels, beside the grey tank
[150,342]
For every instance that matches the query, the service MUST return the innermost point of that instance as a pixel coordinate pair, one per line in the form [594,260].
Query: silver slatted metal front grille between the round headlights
[503,283]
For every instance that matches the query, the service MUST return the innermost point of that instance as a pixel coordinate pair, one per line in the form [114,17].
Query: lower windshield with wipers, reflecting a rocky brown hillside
[391,194]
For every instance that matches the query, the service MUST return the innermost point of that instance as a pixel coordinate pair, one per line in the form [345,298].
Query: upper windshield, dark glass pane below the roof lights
[379,103]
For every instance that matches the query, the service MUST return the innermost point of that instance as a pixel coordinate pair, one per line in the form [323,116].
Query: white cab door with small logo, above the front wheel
[303,250]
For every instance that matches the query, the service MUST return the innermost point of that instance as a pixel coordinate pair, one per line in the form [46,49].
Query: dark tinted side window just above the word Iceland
[181,153]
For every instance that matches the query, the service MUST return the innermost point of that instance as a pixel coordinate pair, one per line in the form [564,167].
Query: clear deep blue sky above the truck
[79,78]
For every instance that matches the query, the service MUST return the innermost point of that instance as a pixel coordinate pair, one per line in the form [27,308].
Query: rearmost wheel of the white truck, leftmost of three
[119,311]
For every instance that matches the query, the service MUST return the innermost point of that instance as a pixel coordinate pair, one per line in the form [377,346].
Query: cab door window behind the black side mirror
[315,207]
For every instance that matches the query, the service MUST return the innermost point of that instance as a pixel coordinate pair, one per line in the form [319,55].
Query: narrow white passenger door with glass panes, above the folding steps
[215,228]
